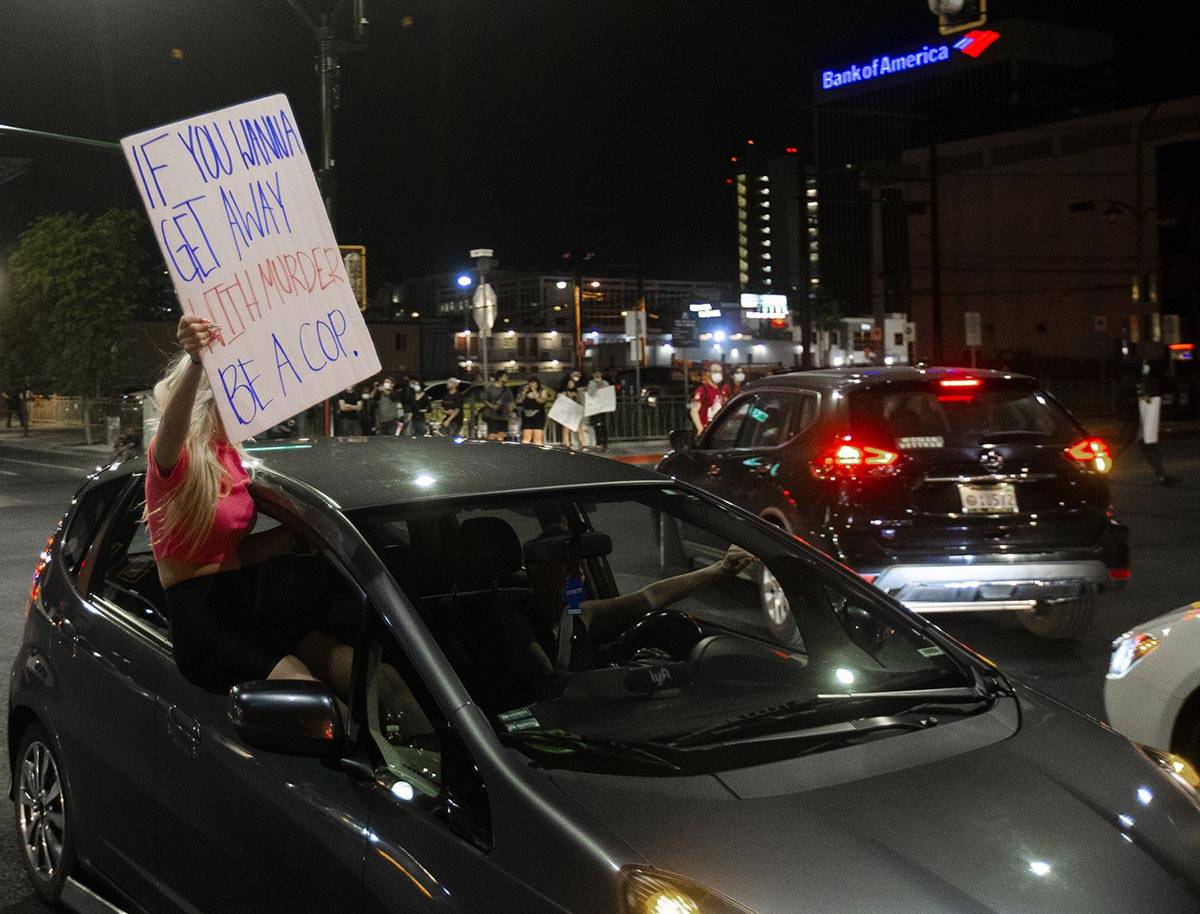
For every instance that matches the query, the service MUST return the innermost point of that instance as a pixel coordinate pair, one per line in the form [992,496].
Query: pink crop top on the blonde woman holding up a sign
[235,518]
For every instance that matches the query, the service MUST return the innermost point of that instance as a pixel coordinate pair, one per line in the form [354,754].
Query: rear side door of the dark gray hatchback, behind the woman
[109,659]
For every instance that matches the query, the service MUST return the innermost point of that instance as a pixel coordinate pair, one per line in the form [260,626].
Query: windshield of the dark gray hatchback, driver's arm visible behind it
[650,627]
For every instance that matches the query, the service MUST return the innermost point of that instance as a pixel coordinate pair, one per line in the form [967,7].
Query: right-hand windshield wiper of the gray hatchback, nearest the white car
[770,719]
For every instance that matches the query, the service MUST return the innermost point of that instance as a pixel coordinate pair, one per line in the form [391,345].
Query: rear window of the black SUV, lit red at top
[929,416]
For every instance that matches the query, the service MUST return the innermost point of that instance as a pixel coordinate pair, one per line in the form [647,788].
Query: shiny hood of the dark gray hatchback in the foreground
[1063,816]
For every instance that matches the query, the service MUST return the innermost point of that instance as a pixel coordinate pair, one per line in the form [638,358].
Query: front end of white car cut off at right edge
[1153,688]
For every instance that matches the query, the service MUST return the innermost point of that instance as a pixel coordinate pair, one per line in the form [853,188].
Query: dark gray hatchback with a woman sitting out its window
[681,753]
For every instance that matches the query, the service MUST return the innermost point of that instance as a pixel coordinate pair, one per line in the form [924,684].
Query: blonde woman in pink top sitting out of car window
[226,629]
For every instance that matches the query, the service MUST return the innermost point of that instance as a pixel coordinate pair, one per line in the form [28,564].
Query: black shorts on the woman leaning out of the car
[236,627]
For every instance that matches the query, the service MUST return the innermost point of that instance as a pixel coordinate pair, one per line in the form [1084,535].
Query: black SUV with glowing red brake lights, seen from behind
[951,490]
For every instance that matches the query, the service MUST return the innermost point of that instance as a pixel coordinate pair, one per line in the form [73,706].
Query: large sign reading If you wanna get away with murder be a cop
[235,205]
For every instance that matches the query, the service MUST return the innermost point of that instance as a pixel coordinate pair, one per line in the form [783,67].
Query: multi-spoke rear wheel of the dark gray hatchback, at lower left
[43,815]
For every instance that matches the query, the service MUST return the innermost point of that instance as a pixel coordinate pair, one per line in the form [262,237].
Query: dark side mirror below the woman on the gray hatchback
[293,717]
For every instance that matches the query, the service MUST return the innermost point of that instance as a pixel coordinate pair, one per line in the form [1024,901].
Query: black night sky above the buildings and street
[531,127]
